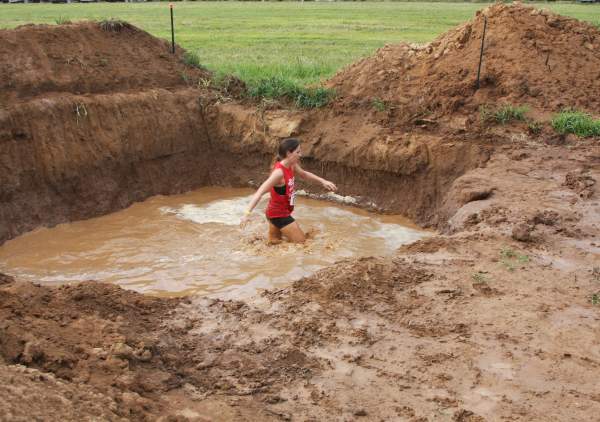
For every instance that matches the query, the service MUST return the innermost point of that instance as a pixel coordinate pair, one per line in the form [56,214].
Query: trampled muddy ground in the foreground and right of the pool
[472,325]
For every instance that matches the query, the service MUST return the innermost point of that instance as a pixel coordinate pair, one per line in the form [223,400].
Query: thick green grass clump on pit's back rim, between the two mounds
[277,87]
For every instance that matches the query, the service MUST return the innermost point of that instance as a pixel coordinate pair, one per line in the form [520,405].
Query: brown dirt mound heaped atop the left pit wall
[84,58]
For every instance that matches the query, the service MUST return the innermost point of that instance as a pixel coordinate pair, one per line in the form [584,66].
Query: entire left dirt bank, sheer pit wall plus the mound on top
[93,116]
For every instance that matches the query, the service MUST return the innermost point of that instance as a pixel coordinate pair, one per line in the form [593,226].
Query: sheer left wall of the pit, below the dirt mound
[62,165]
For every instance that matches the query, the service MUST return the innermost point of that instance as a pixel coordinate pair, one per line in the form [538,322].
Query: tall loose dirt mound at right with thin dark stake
[531,57]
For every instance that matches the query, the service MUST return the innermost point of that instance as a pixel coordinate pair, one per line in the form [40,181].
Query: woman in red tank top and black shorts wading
[280,184]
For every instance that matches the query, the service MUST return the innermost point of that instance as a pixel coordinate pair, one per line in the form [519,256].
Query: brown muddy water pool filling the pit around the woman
[192,243]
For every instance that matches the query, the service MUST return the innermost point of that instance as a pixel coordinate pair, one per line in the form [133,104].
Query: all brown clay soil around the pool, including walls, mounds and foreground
[493,318]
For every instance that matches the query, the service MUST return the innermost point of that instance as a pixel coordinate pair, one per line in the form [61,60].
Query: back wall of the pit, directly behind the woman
[409,176]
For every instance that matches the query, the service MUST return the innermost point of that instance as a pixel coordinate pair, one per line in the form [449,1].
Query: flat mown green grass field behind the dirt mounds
[304,42]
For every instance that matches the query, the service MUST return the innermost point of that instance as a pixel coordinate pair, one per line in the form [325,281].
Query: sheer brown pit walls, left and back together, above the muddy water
[74,157]
